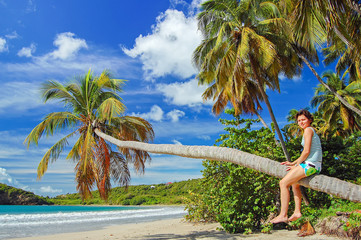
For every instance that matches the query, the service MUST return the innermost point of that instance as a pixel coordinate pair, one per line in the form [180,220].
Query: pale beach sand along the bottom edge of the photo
[171,229]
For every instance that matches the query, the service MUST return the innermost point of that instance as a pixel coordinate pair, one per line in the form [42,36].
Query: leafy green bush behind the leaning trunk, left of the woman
[237,197]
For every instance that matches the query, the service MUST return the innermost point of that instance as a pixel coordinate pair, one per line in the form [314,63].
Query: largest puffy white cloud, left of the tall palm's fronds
[168,50]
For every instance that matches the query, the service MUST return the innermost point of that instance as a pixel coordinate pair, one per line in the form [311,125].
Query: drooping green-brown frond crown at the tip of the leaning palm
[90,99]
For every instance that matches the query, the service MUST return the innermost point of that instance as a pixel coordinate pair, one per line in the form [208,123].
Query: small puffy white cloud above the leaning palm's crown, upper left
[67,45]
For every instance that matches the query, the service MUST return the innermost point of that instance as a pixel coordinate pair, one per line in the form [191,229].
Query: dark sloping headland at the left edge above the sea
[14,196]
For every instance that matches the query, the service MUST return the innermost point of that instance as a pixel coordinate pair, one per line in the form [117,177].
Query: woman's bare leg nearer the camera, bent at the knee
[292,177]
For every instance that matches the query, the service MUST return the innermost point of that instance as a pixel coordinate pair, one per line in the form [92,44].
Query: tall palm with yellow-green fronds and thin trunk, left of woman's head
[239,47]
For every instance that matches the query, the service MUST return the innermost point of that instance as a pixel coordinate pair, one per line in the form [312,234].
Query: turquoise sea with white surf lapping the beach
[29,221]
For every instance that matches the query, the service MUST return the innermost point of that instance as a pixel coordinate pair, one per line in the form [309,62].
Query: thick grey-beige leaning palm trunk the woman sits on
[320,182]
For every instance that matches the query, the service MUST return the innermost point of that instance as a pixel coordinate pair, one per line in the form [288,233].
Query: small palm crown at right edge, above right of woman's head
[339,119]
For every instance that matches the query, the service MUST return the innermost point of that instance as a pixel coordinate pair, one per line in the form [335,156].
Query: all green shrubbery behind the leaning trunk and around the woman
[242,199]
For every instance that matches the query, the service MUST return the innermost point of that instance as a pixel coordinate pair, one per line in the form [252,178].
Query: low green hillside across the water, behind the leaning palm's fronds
[174,193]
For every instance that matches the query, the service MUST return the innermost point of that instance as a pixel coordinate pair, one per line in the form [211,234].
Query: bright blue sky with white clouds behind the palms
[148,43]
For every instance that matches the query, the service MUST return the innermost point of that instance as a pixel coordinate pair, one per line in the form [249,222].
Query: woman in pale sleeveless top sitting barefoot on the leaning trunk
[307,164]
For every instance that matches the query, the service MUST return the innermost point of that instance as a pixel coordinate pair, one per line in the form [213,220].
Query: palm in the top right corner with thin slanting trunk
[312,22]
